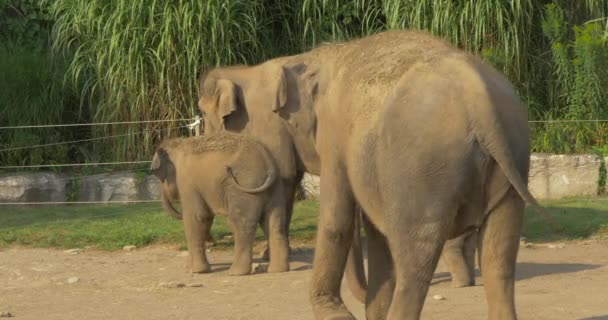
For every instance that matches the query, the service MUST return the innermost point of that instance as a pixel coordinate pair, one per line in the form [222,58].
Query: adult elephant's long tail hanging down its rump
[488,126]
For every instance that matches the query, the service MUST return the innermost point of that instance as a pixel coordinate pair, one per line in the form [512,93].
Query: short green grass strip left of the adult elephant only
[111,227]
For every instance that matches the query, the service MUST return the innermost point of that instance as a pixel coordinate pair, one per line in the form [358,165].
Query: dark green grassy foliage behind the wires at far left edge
[32,93]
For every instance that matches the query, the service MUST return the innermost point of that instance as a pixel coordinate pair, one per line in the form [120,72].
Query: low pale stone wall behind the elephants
[551,177]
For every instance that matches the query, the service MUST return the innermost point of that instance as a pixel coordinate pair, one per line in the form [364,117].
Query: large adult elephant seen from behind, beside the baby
[430,142]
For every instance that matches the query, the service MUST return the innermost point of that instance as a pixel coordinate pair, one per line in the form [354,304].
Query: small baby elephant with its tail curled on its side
[226,174]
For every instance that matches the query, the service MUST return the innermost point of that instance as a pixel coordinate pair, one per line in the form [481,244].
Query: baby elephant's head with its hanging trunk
[164,169]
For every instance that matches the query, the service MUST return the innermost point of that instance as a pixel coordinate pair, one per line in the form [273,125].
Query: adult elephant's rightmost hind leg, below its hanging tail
[499,243]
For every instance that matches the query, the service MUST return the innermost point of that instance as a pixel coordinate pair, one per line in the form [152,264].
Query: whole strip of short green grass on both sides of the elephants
[111,227]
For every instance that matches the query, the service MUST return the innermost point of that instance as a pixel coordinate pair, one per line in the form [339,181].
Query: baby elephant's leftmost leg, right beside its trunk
[197,222]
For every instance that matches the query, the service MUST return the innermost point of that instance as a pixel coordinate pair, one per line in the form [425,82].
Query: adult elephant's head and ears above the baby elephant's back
[272,101]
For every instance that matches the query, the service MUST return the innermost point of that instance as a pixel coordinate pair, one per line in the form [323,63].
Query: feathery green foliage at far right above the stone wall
[577,82]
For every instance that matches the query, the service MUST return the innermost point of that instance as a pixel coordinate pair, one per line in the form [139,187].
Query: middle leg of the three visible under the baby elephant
[244,227]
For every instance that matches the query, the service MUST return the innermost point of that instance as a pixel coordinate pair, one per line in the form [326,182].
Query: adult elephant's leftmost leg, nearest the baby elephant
[334,237]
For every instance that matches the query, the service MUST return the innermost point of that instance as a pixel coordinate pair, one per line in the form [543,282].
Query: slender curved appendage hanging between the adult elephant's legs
[355,272]
